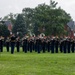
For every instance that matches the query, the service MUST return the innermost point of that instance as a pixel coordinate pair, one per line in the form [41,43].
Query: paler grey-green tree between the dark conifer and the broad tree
[28,17]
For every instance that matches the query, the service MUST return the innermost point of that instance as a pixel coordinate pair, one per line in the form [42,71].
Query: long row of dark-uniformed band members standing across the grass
[39,43]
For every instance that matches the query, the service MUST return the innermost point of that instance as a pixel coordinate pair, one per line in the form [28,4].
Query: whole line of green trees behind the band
[48,19]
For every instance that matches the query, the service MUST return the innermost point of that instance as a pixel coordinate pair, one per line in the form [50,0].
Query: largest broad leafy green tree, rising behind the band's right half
[52,19]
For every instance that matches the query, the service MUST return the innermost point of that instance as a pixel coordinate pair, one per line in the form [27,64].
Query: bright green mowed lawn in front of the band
[37,64]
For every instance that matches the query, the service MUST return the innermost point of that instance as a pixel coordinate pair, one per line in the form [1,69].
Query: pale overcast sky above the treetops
[16,6]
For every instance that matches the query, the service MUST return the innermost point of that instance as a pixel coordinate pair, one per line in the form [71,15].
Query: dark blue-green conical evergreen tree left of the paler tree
[19,25]
